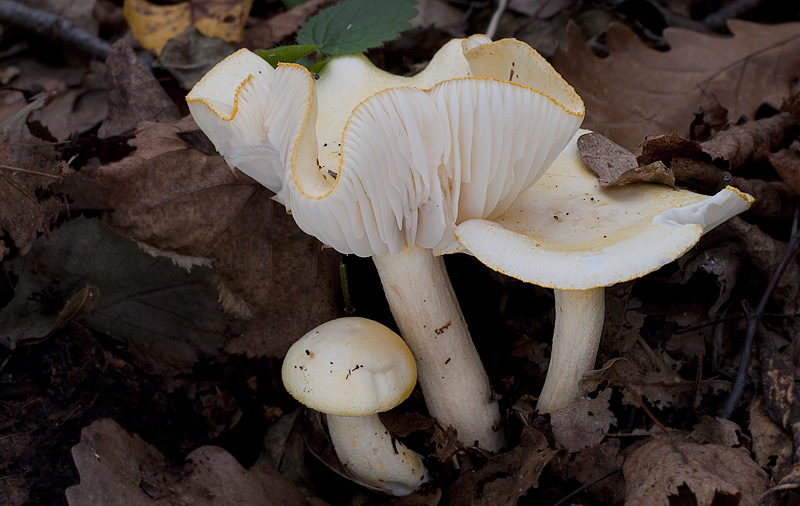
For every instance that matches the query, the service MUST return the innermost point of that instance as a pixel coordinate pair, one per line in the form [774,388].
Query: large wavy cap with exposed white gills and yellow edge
[370,162]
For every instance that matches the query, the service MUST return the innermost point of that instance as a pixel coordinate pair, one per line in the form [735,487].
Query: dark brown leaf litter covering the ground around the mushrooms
[671,343]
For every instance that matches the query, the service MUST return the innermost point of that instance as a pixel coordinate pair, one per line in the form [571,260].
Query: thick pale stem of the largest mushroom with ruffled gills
[449,370]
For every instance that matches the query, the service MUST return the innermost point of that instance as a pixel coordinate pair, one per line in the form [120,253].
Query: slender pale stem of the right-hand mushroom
[578,327]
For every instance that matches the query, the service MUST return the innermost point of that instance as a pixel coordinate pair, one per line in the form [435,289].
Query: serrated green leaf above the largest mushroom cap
[355,26]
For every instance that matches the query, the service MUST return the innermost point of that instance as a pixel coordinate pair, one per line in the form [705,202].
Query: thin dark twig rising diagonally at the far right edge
[753,319]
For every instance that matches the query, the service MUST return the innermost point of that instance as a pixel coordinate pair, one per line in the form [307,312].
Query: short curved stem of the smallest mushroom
[366,449]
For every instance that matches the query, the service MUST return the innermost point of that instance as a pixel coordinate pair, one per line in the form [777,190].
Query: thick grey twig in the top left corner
[54,28]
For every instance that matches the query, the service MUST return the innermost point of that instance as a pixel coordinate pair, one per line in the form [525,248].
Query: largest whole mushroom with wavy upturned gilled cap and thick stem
[386,166]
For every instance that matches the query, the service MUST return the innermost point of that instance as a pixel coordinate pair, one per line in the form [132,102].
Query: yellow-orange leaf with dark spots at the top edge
[153,25]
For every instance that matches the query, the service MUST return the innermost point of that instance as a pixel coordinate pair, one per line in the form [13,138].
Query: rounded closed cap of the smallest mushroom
[350,367]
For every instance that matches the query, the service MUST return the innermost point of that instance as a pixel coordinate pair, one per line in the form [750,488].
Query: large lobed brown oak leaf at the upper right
[638,91]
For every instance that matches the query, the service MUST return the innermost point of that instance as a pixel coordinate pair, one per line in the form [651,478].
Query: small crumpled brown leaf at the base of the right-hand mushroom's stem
[583,424]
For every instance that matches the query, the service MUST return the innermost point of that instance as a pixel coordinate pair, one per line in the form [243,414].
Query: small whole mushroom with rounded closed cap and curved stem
[352,369]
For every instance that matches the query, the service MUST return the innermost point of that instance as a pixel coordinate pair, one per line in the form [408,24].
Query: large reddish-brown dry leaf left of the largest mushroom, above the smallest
[177,198]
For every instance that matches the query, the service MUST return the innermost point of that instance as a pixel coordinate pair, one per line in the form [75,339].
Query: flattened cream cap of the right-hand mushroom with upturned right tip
[568,232]
